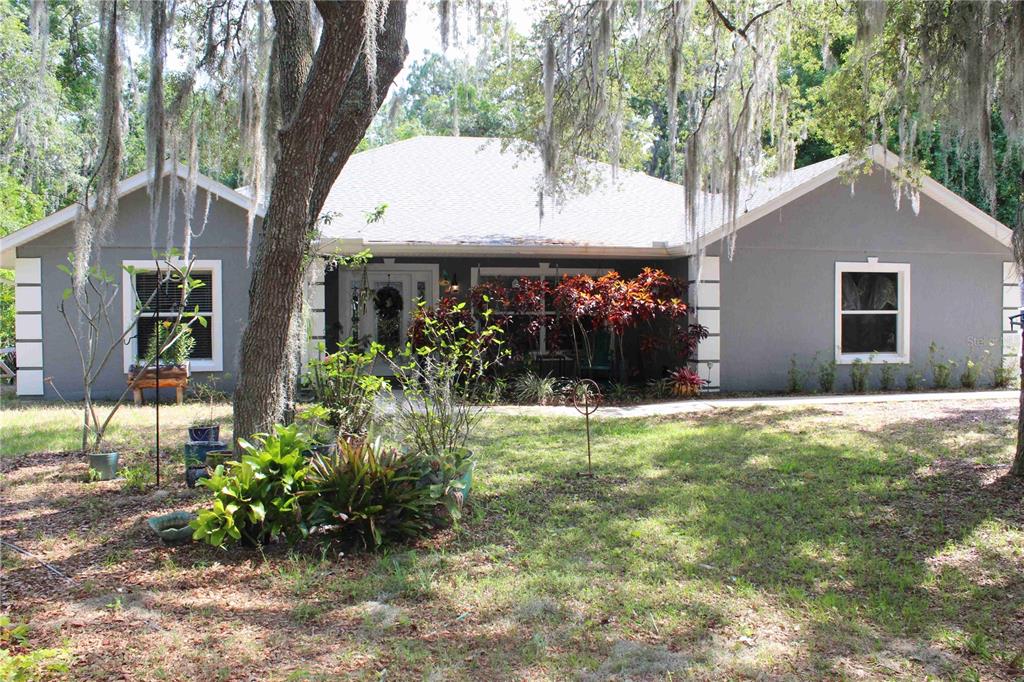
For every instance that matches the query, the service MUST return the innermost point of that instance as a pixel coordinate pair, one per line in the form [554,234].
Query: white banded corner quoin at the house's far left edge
[29,325]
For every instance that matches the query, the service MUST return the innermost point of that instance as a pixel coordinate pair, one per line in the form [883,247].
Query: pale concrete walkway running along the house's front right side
[688,407]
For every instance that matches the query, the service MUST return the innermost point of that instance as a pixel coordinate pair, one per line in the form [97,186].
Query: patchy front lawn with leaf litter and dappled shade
[847,542]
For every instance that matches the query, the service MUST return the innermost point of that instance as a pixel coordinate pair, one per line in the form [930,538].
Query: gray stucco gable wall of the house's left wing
[223,240]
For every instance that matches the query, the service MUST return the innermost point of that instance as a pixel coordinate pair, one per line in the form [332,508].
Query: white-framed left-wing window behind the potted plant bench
[207,355]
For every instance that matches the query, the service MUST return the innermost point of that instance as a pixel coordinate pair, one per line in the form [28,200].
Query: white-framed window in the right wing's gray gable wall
[873,317]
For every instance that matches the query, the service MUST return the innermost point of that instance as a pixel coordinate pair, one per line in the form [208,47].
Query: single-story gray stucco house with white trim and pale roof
[817,267]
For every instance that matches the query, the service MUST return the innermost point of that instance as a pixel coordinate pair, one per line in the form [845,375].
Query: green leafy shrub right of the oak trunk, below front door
[346,387]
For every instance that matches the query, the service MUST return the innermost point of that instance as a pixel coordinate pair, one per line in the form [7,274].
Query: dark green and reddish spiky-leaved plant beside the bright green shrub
[371,494]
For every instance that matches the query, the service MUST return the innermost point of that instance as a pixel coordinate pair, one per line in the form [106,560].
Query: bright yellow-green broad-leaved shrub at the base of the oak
[258,499]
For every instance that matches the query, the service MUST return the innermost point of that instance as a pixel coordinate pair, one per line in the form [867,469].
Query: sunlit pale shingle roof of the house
[466,191]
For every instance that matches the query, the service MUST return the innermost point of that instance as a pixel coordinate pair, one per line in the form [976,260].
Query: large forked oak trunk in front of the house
[326,109]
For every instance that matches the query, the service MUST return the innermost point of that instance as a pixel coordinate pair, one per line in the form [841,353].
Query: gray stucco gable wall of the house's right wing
[779,290]
